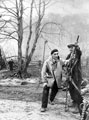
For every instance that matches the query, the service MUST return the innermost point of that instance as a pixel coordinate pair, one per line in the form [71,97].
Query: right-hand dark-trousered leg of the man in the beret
[54,91]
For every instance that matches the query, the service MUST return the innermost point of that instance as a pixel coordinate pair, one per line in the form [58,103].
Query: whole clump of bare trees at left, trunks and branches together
[13,27]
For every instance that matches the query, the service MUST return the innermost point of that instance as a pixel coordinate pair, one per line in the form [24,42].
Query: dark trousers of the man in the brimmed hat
[75,95]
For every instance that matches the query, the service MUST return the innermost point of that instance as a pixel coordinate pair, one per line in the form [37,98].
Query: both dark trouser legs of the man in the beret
[45,94]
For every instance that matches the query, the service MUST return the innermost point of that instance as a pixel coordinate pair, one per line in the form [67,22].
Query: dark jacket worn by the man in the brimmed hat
[75,67]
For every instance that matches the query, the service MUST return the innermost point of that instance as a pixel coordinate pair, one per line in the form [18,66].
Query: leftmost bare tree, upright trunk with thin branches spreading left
[13,27]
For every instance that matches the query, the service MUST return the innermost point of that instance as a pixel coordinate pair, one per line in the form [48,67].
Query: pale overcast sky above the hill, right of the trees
[65,7]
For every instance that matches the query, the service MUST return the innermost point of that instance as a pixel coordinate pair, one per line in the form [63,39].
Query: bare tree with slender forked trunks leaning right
[40,11]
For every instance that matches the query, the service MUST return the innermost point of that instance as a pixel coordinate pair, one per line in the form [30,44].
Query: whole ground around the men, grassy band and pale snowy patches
[23,102]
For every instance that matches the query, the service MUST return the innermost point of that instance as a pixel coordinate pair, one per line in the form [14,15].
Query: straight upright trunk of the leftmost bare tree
[20,33]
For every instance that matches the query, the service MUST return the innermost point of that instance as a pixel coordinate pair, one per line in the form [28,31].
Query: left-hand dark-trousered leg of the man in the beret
[45,97]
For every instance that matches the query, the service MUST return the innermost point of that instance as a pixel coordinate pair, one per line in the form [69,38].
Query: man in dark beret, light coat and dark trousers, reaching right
[51,77]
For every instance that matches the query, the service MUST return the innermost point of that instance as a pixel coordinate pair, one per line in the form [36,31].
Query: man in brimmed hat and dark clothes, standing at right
[76,75]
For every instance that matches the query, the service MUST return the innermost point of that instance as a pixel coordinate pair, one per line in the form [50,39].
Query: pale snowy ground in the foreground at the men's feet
[20,110]
